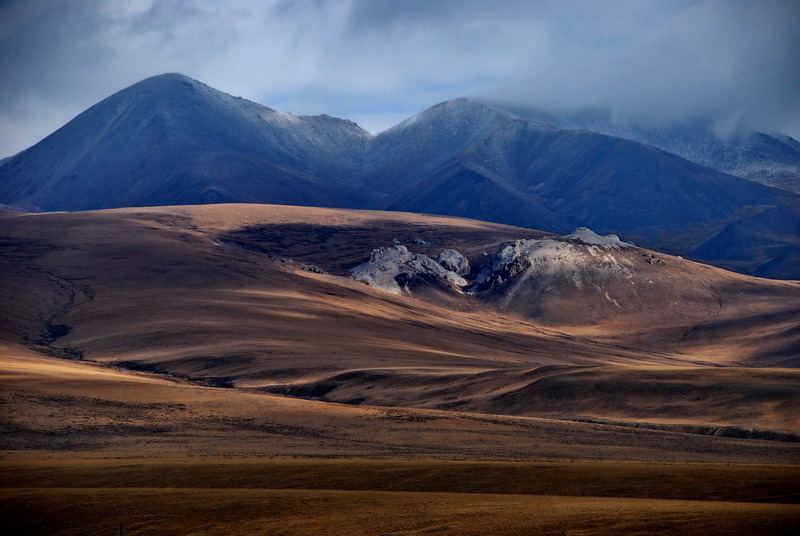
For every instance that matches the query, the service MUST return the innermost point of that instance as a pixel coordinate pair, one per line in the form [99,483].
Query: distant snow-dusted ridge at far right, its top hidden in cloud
[769,159]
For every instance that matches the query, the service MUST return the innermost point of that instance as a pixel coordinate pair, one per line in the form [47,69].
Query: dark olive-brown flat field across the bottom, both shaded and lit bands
[371,497]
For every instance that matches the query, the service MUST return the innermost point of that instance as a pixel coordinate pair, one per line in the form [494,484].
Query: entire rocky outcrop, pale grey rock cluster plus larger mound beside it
[581,278]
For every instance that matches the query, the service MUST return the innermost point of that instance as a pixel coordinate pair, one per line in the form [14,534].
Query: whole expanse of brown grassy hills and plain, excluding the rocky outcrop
[440,415]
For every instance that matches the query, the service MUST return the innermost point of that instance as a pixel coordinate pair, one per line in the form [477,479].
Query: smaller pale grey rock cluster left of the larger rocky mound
[395,269]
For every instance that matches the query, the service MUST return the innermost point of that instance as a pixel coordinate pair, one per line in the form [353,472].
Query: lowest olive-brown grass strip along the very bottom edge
[92,511]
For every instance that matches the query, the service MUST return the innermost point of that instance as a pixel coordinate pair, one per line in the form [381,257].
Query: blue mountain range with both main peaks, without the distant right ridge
[172,140]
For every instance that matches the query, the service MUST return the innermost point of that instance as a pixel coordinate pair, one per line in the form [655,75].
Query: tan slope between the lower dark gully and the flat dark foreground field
[83,409]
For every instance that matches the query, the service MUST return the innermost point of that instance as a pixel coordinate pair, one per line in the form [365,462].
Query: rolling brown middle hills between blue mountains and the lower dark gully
[237,296]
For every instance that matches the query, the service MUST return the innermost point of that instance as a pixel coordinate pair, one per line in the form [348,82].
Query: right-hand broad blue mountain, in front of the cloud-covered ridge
[528,173]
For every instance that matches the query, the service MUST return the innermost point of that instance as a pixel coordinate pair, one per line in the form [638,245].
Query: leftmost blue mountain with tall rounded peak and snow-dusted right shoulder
[172,140]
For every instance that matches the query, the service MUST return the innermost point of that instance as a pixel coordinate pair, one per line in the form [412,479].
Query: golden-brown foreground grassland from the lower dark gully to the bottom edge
[112,471]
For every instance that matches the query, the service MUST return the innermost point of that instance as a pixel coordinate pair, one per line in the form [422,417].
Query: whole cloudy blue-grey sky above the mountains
[379,61]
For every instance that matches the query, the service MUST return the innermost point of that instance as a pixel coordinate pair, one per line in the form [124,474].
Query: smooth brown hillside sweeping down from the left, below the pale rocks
[158,287]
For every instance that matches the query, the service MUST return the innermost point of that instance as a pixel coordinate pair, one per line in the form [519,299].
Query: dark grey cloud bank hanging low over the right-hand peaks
[733,61]
